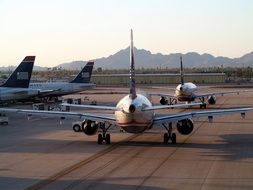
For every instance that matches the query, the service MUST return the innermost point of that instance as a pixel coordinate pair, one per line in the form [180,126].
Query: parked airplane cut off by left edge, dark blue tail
[16,86]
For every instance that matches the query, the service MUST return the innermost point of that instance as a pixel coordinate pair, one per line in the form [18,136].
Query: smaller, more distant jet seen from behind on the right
[188,92]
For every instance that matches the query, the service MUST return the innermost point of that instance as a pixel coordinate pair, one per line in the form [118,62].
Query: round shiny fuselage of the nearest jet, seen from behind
[131,116]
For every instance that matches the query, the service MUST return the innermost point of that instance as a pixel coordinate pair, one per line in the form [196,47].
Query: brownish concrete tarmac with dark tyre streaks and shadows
[42,154]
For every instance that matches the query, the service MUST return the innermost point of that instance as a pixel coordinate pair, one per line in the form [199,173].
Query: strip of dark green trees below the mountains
[231,73]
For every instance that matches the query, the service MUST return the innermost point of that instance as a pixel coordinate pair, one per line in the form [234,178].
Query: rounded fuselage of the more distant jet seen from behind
[186,92]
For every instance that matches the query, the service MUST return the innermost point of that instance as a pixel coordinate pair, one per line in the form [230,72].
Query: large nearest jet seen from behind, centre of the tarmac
[134,113]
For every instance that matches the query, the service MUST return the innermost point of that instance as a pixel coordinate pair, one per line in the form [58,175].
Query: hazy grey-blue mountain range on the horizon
[145,59]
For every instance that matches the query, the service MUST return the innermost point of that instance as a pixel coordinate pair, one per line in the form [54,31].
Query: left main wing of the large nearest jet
[110,118]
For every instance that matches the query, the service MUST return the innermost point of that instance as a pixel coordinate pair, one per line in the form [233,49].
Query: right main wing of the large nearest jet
[208,114]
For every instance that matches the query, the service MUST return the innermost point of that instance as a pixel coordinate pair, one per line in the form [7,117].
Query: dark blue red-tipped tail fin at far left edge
[20,78]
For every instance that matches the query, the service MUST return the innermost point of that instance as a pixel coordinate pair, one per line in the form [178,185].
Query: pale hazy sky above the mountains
[59,31]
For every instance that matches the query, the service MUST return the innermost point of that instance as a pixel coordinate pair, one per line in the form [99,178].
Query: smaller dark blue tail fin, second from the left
[85,74]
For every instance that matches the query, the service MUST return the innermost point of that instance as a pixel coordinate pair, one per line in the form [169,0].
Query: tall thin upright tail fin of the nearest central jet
[132,70]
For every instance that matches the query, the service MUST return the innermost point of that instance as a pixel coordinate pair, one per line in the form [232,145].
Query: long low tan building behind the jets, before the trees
[147,79]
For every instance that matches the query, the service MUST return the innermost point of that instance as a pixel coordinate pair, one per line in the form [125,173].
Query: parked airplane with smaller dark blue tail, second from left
[54,89]
